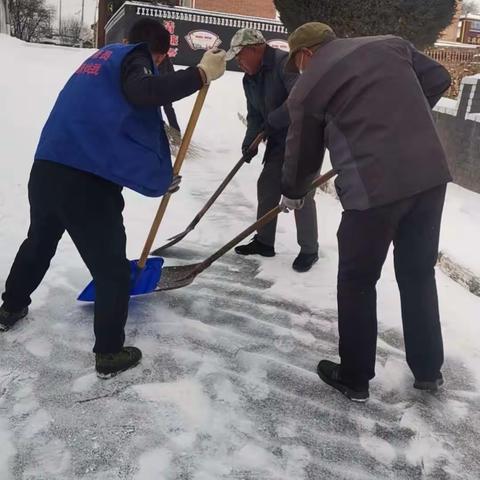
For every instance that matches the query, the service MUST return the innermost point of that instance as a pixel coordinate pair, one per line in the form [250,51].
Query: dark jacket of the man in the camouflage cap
[266,93]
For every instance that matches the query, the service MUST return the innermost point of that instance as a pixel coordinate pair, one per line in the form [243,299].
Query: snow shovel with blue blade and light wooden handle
[146,272]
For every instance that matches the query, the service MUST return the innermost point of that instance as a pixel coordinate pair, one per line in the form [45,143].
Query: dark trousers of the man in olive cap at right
[364,237]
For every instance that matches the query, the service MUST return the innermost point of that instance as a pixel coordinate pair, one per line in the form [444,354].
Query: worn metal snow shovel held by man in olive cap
[183,275]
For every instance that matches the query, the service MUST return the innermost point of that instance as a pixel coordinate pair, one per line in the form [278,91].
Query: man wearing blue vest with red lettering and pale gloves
[104,133]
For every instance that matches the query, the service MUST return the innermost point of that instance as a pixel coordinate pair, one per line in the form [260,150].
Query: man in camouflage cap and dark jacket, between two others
[267,86]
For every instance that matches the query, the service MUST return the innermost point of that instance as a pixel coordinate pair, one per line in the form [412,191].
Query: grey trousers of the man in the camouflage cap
[269,194]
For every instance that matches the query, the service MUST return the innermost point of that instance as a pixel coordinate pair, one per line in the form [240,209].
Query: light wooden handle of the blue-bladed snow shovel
[182,152]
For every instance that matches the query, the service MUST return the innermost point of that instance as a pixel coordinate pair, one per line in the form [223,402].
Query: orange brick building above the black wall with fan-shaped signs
[250,8]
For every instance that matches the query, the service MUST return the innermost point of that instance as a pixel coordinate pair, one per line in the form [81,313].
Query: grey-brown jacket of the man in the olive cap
[368,100]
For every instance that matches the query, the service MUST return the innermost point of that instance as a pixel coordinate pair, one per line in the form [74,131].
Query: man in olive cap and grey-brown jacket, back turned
[368,100]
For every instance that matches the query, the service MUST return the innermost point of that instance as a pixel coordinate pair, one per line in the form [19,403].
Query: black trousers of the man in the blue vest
[90,210]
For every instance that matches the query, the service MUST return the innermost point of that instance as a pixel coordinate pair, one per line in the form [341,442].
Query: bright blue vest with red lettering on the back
[93,127]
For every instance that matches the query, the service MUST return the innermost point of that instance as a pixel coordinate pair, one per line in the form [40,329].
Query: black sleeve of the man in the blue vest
[143,89]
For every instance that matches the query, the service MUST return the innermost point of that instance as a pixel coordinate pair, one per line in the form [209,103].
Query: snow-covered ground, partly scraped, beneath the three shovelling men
[227,388]
